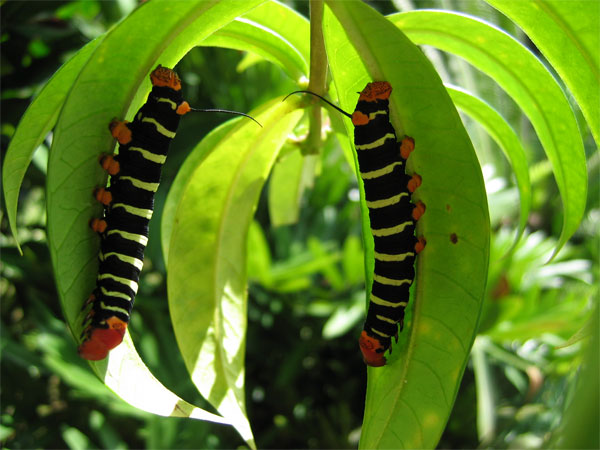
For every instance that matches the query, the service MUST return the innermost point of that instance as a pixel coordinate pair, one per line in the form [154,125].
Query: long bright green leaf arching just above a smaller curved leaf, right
[527,81]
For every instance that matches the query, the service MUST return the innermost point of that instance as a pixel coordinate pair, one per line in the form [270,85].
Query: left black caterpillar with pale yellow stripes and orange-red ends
[128,206]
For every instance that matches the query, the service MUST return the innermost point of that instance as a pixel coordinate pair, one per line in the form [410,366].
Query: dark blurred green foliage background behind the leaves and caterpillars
[305,382]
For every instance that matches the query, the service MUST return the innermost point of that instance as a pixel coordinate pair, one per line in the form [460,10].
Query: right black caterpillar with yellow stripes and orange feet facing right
[388,189]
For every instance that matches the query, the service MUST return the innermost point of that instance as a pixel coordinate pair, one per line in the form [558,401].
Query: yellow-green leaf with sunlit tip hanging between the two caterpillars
[207,270]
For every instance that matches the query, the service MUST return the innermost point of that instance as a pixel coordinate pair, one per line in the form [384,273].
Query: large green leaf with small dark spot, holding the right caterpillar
[409,400]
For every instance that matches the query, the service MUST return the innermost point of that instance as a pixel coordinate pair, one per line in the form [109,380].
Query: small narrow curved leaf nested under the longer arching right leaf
[506,138]
